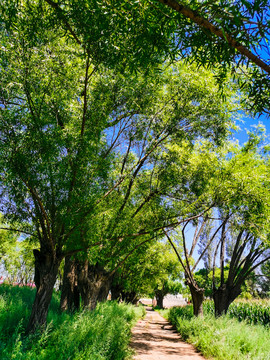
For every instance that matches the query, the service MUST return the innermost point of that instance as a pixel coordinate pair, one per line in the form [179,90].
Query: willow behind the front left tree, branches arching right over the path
[184,106]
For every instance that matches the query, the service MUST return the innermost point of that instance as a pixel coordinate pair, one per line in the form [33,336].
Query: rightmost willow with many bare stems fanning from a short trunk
[243,242]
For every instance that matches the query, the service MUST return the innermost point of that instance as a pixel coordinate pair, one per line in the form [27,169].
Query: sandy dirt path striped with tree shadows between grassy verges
[153,338]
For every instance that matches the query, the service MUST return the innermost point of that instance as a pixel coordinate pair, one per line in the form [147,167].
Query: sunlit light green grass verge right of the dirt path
[223,338]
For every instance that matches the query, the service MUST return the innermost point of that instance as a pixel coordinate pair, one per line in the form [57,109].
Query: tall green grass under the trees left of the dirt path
[100,334]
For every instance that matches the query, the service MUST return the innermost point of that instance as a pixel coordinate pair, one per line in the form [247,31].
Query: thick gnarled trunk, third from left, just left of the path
[94,285]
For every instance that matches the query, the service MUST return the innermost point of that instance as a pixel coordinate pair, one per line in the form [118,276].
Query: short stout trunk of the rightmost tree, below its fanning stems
[223,297]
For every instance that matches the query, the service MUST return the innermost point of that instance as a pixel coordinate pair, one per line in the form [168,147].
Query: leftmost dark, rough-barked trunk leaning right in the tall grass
[46,270]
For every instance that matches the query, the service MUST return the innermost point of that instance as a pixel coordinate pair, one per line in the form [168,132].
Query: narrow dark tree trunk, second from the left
[70,296]
